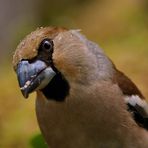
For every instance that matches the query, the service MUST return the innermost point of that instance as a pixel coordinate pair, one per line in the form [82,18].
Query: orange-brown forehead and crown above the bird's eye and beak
[27,49]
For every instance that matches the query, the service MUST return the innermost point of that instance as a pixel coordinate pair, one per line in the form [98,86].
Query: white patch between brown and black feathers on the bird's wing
[138,103]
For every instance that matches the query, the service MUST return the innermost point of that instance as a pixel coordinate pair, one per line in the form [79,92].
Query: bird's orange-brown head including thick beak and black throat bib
[50,59]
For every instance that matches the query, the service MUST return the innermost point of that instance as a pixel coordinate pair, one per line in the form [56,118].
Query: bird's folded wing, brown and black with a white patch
[134,99]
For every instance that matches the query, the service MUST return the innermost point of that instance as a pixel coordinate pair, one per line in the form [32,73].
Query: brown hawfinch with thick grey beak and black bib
[83,100]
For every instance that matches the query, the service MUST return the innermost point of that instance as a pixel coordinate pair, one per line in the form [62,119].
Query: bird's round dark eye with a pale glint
[46,44]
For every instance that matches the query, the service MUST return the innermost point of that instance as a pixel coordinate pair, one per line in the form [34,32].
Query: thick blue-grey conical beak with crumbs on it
[33,76]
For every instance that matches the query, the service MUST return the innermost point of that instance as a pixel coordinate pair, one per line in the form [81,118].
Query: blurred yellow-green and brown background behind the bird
[120,28]
